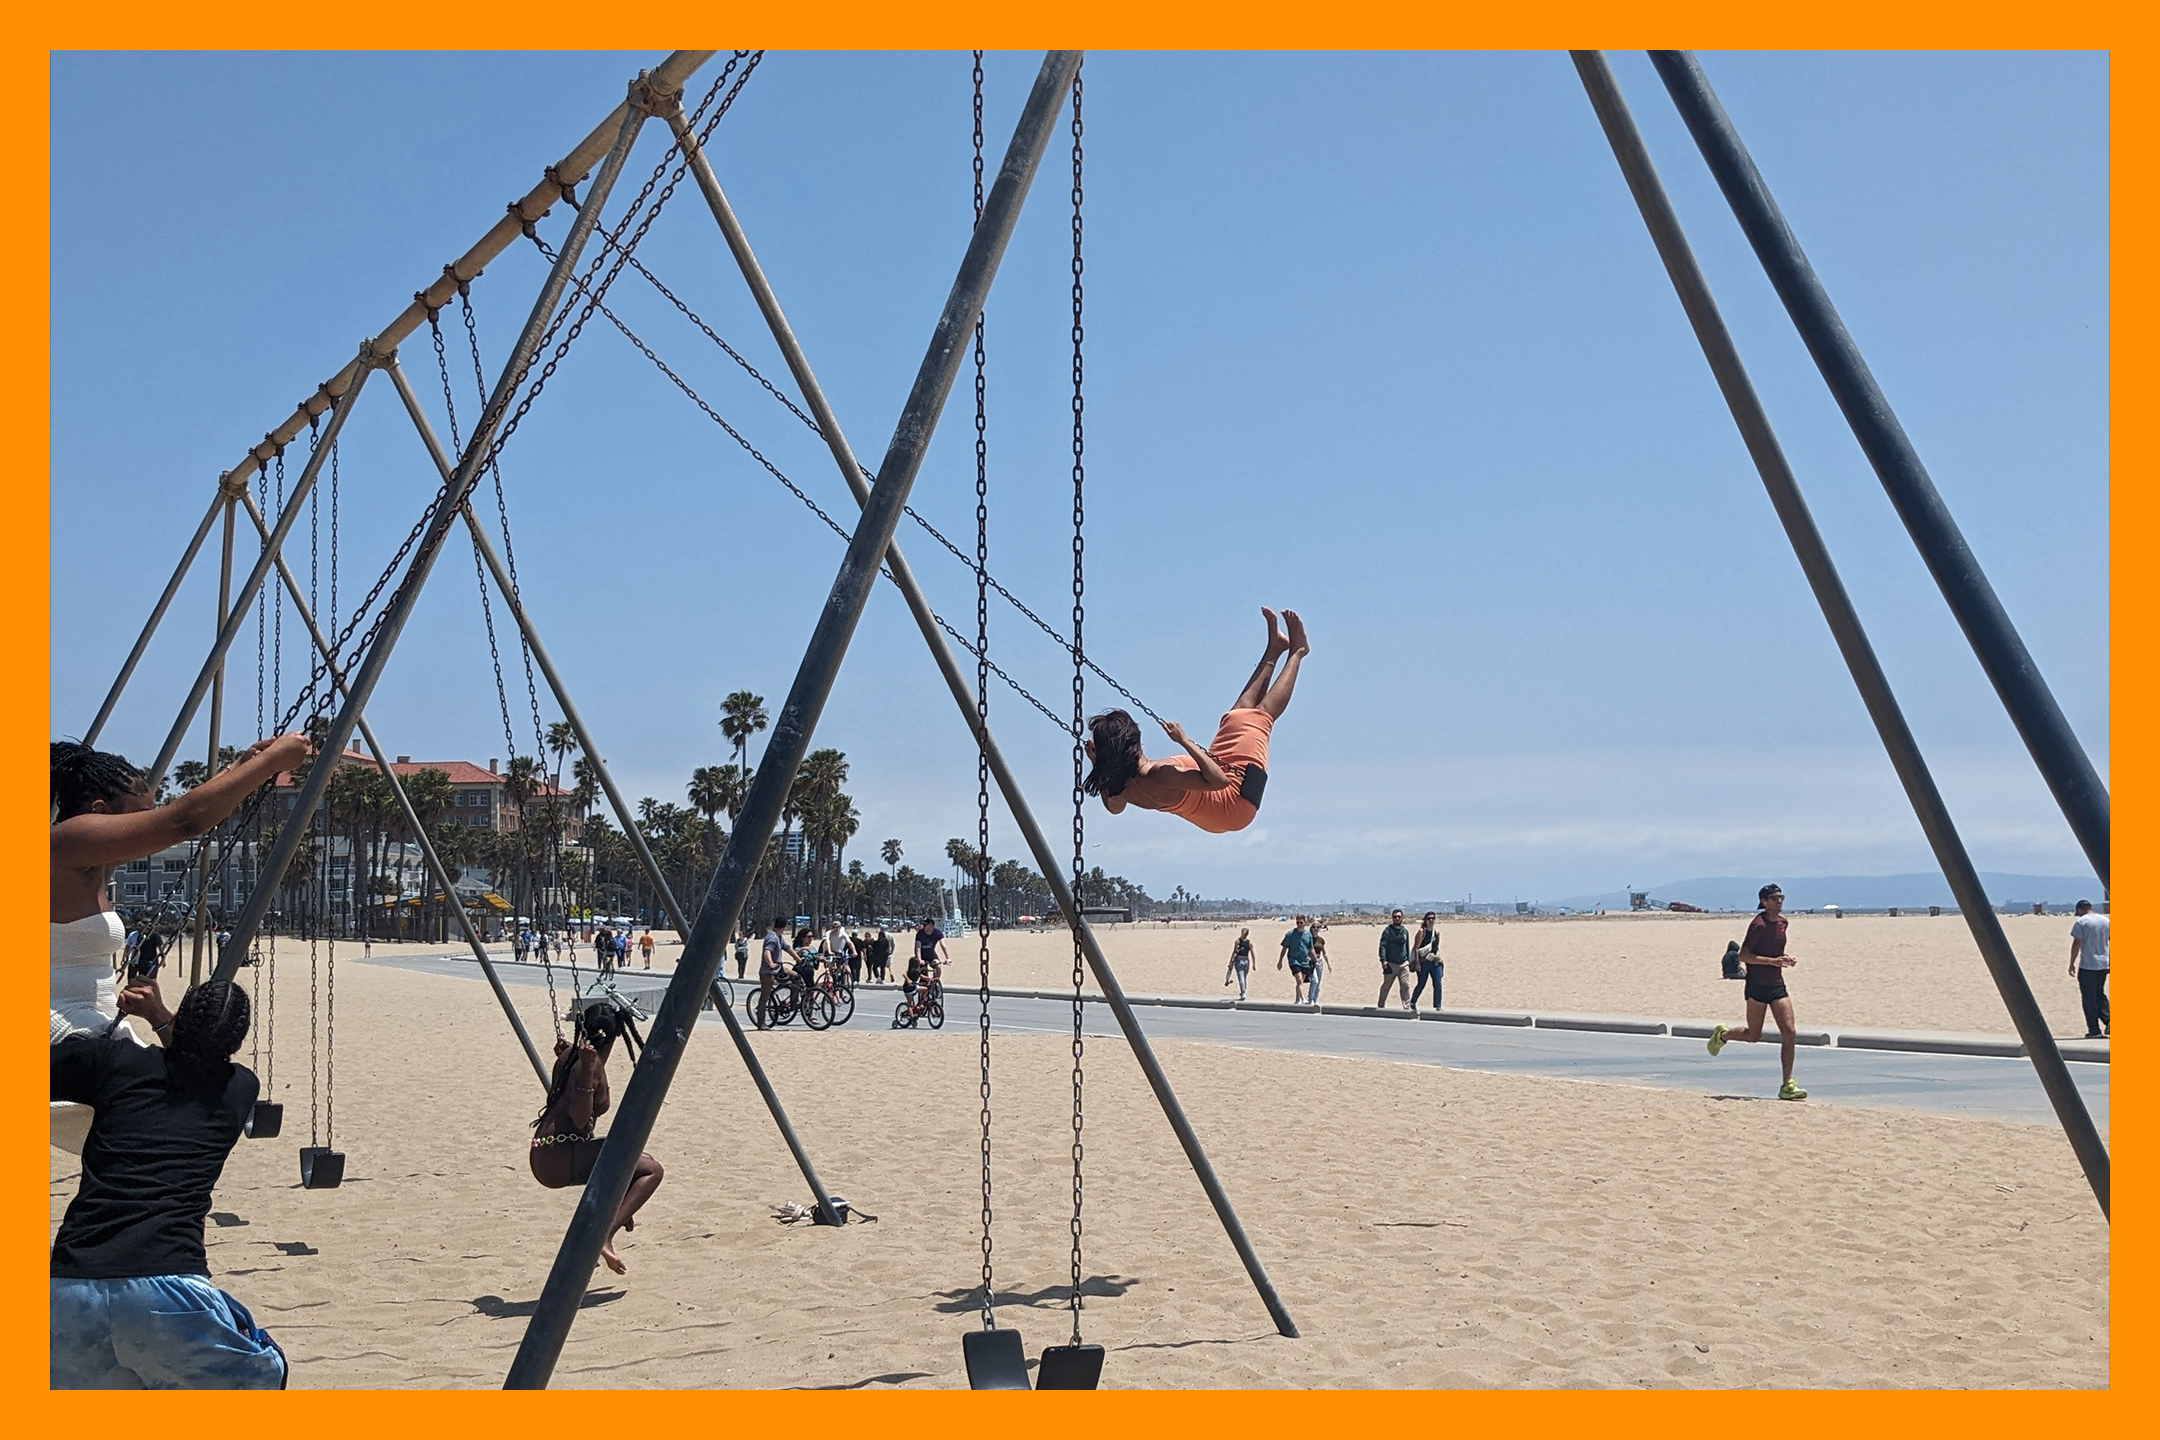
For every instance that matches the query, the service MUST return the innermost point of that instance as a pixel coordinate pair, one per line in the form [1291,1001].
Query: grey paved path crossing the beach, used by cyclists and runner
[1967,1087]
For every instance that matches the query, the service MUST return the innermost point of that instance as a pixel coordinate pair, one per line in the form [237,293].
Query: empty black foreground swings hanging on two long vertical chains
[997,1357]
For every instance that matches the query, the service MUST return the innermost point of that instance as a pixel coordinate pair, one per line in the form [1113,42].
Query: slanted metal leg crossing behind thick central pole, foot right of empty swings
[1047,860]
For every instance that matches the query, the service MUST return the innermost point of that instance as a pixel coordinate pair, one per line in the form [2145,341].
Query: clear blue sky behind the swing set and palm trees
[1371,336]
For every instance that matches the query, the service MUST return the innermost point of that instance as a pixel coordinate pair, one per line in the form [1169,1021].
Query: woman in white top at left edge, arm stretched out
[105,817]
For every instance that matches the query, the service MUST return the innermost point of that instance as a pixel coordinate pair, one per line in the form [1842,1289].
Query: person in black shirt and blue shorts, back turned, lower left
[133,1305]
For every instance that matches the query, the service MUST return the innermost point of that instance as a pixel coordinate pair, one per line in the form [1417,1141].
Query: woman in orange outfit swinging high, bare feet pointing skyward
[1219,787]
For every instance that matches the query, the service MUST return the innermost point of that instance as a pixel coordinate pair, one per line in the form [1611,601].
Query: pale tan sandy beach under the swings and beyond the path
[1427,1227]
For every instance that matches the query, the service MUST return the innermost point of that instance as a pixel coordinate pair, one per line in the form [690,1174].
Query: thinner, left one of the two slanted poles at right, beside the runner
[1844,621]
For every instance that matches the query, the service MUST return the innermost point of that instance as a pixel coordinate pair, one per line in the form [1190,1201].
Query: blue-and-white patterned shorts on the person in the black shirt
[159,1333]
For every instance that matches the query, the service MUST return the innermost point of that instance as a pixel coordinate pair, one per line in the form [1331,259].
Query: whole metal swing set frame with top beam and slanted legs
[872,549]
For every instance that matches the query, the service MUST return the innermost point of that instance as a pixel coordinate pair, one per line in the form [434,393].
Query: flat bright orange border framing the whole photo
[25,595]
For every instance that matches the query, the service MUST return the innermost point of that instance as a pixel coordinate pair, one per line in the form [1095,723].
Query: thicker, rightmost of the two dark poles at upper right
[1958,573]
